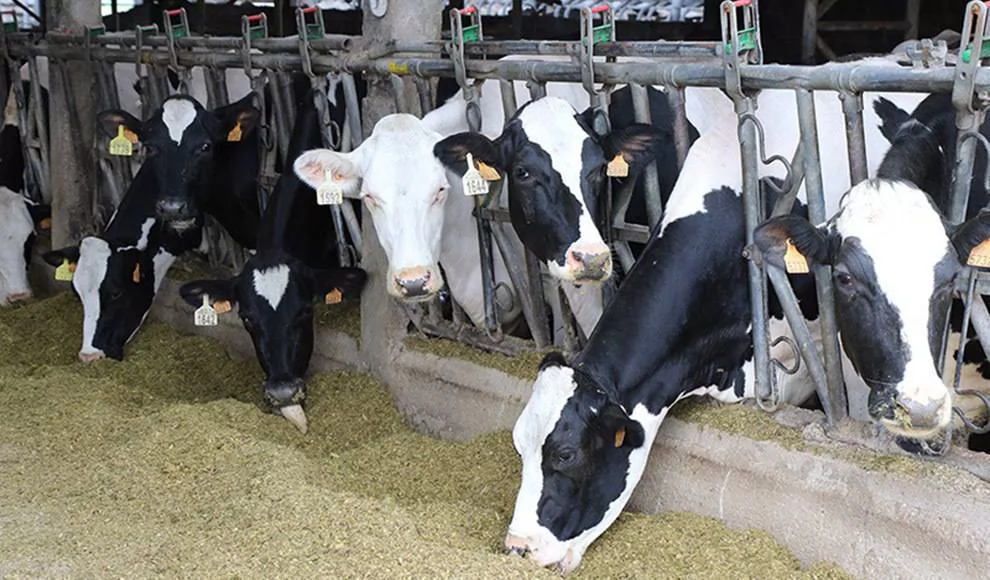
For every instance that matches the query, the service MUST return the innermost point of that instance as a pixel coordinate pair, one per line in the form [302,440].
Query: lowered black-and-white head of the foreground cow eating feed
[582,455]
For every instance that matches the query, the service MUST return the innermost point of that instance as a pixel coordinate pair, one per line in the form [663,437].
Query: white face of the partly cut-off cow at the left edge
[16,227]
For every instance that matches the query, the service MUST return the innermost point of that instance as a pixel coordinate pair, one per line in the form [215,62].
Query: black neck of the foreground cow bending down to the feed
[678,322]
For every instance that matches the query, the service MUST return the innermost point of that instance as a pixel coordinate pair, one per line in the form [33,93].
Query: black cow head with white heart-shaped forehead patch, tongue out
[274,296]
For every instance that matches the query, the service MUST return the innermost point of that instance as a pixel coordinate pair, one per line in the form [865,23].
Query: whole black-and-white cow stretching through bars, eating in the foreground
[679,326]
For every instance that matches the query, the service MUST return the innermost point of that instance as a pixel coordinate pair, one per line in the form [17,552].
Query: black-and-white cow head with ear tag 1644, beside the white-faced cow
[556,170]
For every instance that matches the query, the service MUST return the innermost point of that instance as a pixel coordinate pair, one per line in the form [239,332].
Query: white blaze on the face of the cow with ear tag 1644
[549,123]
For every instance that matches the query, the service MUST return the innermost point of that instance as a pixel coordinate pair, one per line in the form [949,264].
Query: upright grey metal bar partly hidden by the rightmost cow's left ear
[836,394]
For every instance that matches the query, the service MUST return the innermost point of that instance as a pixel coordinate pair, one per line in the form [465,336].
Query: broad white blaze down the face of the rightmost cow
[902,233]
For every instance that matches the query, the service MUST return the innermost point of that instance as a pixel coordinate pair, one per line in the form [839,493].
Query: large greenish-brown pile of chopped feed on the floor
[163,466]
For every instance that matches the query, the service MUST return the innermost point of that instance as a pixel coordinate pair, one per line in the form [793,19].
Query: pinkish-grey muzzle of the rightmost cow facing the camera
[911,412]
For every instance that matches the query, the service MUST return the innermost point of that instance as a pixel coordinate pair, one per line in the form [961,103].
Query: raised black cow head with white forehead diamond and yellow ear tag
[179,140]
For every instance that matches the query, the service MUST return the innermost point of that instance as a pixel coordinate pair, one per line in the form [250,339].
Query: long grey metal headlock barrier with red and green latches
[734,64]
